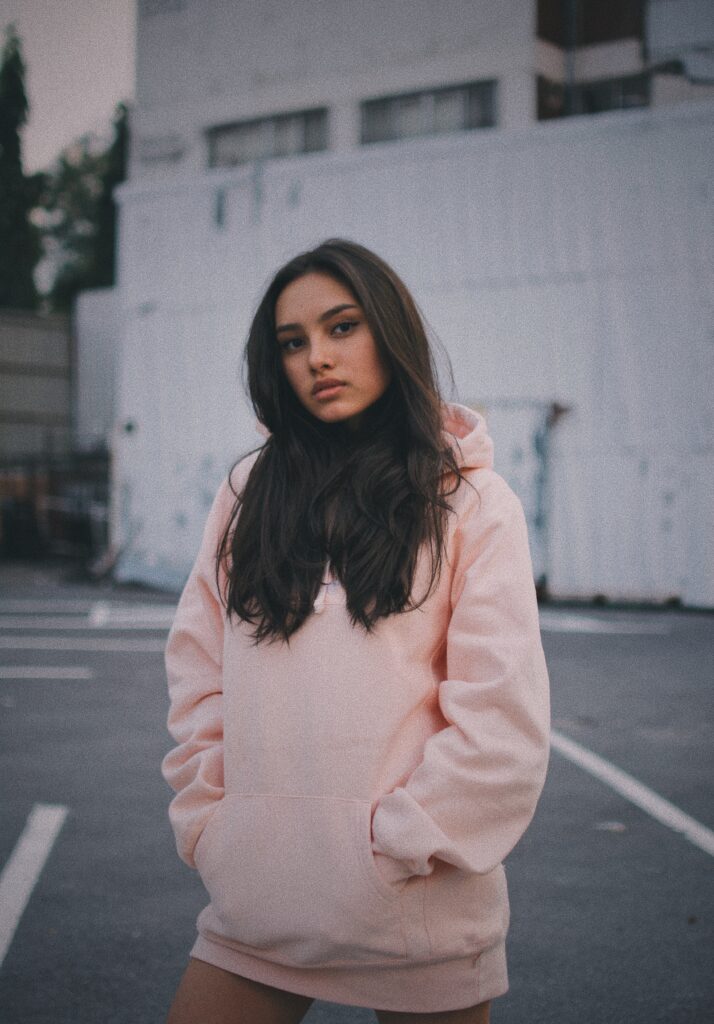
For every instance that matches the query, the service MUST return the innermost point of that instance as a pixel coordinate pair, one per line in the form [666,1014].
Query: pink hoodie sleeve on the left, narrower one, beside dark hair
[194,668]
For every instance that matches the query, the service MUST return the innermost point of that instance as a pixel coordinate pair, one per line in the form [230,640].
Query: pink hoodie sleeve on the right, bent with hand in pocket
[474,794]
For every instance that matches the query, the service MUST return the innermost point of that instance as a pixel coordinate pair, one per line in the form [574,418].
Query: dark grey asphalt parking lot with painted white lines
[612,892]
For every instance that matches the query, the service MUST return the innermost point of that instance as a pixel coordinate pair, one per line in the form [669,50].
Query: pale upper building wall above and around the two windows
[205,63]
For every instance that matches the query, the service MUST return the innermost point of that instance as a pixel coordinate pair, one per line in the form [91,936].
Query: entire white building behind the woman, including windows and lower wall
[565,264]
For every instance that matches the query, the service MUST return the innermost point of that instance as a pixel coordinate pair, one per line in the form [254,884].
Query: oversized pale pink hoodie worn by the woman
[349,799]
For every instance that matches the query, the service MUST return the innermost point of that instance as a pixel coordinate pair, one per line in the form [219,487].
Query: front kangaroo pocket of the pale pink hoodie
[295,878]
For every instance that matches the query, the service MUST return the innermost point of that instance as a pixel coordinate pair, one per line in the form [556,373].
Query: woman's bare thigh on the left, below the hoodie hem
[207,995]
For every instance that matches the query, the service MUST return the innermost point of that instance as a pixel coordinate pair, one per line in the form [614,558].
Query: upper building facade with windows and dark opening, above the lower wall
[225,82]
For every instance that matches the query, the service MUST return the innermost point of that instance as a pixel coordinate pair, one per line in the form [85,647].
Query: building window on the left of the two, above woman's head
[264,139]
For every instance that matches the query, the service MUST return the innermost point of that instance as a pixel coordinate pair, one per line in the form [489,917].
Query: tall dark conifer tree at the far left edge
[20,240]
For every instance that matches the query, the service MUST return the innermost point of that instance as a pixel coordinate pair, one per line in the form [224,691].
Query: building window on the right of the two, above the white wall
[431,112]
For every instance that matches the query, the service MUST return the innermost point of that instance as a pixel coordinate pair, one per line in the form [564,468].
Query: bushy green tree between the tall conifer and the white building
[79,216]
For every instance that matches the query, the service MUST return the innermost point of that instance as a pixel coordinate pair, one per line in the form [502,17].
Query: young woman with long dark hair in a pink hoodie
[359,694]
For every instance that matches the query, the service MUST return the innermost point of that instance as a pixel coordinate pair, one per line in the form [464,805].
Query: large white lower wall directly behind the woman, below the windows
[567,263]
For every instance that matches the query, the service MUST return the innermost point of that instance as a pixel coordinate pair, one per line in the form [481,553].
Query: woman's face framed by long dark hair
[325,339]
